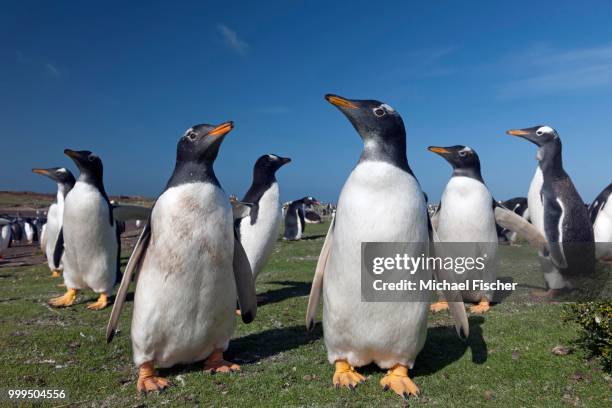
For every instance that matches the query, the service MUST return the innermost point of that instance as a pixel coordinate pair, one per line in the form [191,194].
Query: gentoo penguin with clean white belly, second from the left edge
[89,235]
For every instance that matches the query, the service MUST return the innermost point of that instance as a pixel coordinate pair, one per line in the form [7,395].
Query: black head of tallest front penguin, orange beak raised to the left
[380,127]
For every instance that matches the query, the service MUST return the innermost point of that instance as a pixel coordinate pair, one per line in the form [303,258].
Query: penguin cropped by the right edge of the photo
[600,213]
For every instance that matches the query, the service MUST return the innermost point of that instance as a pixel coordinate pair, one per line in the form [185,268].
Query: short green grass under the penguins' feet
[506,362]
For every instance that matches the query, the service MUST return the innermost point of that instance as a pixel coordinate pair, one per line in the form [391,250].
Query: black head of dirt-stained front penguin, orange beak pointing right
[201,143]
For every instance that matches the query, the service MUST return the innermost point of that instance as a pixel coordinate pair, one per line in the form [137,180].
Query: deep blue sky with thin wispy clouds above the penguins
[125,79]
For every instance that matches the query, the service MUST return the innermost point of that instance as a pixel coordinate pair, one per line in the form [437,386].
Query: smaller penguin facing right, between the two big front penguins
[258,231]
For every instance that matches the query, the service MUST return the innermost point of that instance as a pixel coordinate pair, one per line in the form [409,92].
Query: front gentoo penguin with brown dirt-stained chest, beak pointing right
[190,269]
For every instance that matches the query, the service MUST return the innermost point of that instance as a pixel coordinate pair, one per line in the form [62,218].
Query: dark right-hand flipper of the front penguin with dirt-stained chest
[245,284]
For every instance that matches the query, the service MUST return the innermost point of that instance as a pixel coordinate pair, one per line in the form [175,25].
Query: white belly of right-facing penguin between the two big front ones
[258,239]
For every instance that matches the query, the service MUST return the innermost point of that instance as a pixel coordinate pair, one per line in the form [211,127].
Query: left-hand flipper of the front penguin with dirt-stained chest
[132,267]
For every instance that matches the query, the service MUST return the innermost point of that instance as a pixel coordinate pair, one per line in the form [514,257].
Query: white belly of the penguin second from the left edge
[90,255]
